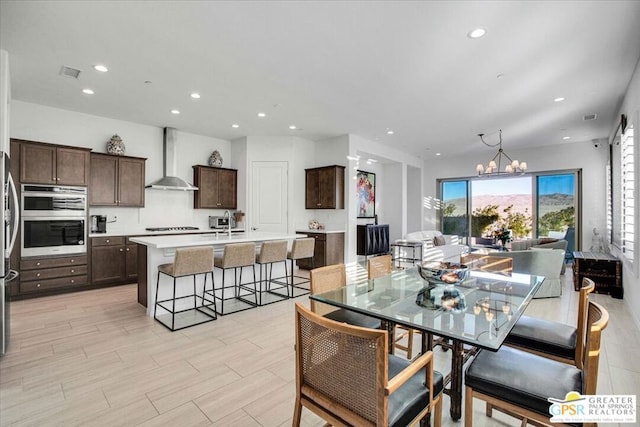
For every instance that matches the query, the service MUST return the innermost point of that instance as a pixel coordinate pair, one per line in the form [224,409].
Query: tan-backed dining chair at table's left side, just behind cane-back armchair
[332,277]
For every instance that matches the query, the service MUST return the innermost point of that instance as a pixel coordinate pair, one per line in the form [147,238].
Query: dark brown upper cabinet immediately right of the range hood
[217,188]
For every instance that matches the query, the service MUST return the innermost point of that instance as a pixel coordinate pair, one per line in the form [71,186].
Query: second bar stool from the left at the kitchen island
[235,256]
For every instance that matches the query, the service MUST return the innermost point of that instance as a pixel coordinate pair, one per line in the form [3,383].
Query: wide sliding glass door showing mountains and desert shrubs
[480,209]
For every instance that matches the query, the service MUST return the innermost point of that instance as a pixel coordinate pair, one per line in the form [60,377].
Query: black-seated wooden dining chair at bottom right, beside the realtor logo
[520,383]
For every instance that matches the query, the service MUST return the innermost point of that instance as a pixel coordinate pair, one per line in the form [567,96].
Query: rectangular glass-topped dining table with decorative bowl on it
[477,313]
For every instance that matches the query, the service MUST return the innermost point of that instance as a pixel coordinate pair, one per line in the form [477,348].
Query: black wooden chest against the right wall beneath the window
[604,269]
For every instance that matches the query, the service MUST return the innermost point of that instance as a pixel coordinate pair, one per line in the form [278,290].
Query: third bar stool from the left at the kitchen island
[272,252]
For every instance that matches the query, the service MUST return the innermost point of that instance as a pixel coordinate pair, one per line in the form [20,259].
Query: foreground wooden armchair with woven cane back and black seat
[345,375]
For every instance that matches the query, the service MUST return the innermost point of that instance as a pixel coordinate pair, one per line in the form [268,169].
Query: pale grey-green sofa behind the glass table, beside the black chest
[541,262]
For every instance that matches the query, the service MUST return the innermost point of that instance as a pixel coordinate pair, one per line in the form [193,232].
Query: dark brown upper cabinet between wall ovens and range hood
[116,180]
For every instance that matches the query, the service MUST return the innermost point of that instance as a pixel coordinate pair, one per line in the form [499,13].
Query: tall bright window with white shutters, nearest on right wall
[627,221]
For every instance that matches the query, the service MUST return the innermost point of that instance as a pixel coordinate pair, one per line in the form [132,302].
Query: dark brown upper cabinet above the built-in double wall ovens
[51,164]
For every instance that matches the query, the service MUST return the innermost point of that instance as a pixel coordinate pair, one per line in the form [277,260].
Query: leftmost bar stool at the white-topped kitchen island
[187,262]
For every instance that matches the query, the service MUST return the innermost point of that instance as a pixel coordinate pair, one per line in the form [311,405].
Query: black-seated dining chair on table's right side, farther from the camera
[554,340]
